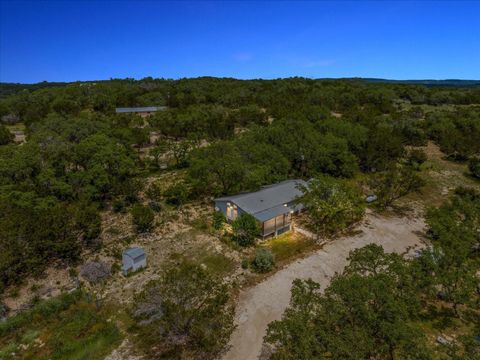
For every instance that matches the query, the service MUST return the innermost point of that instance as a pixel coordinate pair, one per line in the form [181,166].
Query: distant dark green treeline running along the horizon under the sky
[35,101]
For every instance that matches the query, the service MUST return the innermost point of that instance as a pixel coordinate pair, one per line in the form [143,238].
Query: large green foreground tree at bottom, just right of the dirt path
[366,313]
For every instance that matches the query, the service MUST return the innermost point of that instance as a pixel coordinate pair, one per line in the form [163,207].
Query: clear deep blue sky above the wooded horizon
[92,40]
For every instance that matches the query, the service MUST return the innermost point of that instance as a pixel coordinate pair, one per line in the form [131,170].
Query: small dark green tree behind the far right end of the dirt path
[392,184]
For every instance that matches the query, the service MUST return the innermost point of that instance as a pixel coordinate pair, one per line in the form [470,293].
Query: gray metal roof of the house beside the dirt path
[270,200]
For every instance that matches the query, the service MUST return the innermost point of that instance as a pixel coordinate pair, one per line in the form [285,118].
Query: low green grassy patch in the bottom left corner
[66,327]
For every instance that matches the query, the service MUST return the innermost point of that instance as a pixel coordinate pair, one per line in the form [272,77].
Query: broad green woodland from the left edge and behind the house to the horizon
[231,135]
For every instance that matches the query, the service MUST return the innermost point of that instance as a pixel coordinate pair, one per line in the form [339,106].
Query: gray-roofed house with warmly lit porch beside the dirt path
[272,206]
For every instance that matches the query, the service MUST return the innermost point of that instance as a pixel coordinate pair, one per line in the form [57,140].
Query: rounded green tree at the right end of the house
[332,204]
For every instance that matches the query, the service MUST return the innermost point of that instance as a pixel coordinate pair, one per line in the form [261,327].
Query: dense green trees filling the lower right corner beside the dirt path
[384,306]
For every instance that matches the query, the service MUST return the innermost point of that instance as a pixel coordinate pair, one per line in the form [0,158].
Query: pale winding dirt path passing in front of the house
[265,302]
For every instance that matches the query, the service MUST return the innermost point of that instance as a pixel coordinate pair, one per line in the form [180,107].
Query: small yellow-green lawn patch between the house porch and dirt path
[289,245]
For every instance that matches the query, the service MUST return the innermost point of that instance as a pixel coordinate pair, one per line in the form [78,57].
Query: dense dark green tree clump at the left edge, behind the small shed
[52,187]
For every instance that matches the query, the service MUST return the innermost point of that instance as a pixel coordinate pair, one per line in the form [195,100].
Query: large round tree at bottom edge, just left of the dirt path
[186,314]
